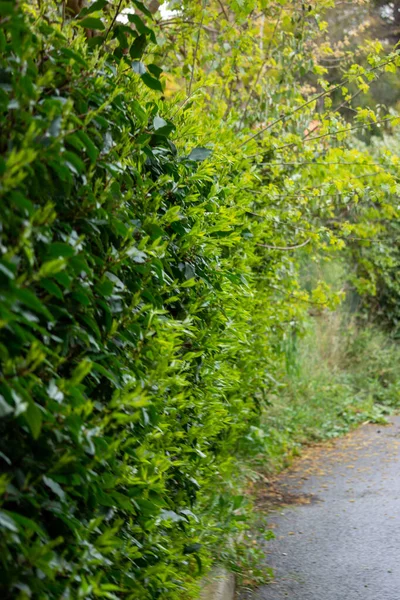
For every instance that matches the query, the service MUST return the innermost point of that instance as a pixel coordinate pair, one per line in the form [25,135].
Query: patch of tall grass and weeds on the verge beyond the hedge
[340,373]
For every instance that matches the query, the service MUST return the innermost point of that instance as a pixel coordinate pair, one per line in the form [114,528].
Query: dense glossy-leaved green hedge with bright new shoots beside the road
[130,365]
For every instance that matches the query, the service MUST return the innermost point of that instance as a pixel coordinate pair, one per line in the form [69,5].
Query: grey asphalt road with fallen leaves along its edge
[338,535]
